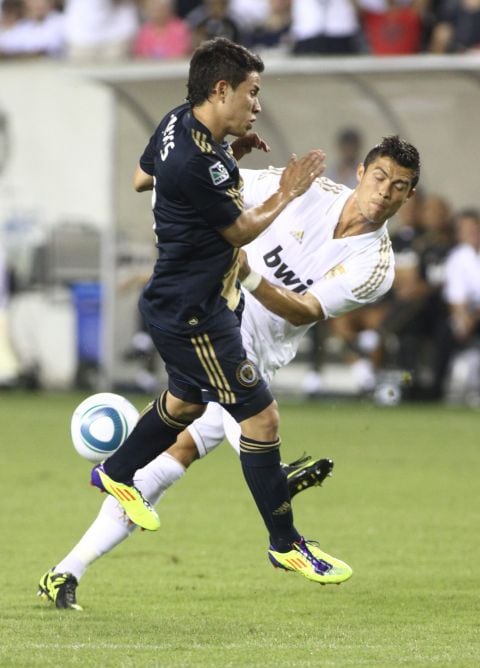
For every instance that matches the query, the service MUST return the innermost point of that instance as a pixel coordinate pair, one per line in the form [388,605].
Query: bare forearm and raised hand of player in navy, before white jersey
[296,178]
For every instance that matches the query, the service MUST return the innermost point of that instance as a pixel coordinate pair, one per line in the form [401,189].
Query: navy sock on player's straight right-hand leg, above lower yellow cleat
[268,485]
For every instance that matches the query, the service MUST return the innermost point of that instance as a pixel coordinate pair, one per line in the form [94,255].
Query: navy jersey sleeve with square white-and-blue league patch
[212,190]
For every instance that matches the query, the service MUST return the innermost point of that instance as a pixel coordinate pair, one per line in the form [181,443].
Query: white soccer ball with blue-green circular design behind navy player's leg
[100,424]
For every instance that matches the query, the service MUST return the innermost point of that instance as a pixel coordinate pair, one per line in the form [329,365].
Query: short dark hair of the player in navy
[218,59]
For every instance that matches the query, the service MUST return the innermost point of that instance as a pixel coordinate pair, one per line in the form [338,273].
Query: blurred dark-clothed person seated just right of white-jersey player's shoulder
[413,329]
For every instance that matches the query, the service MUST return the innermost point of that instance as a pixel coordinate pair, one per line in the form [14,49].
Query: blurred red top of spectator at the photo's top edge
[393,27]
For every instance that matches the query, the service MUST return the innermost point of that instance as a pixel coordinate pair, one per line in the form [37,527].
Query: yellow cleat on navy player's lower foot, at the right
[307,558]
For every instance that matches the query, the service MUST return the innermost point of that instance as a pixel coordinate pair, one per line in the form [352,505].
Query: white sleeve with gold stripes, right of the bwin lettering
[353,283]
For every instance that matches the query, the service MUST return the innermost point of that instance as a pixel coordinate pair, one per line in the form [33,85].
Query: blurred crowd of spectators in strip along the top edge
[109,30]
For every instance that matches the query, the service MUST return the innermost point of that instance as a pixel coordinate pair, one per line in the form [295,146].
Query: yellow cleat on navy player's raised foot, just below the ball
[137,508]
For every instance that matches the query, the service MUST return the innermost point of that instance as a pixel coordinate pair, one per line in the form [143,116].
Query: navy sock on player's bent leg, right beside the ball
[155,431]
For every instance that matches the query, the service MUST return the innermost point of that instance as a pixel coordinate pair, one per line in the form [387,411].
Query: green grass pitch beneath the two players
[402,507]
